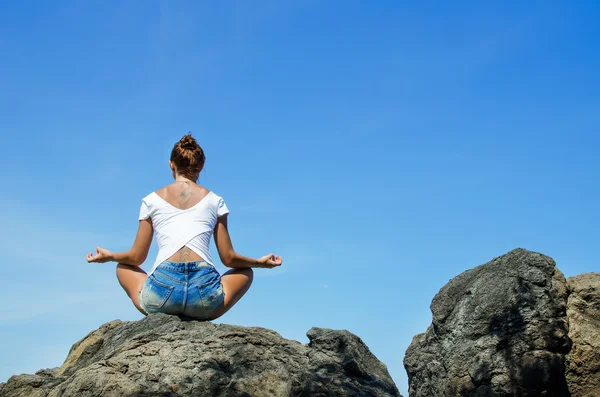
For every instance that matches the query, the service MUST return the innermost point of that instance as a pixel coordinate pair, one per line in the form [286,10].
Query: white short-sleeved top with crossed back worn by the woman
[176,228]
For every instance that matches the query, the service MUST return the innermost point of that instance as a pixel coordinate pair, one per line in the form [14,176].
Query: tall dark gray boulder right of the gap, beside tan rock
[499,329]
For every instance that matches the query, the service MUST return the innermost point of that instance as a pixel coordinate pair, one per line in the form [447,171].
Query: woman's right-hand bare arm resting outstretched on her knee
[232,259]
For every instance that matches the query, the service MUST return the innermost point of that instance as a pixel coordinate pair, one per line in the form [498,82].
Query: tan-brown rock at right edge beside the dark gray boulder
[583,312]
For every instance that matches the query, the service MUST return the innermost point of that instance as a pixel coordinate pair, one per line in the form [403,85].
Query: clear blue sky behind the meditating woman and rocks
[381,148]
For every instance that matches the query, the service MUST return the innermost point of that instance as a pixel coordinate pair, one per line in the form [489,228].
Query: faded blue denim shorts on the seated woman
[191,289]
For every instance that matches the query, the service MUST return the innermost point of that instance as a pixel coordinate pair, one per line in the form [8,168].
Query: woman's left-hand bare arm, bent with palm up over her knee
[135,256]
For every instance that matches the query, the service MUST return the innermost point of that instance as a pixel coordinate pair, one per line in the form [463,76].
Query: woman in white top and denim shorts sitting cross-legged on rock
[184,215]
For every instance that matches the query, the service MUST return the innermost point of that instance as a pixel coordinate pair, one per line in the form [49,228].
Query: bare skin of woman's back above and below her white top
[183,195]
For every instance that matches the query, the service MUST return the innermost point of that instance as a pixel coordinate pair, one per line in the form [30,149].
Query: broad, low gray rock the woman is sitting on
[162,355]
